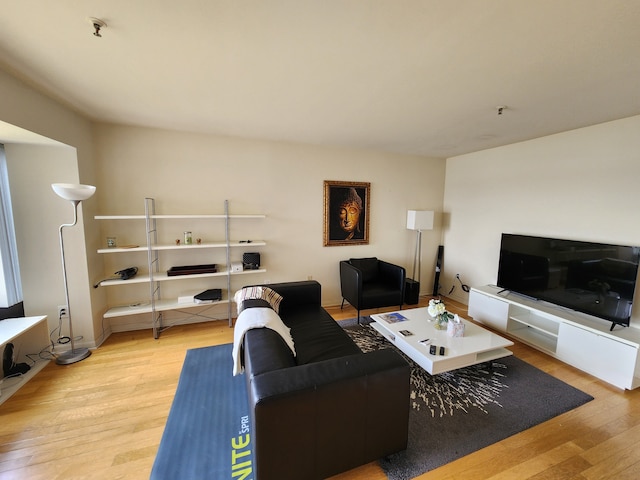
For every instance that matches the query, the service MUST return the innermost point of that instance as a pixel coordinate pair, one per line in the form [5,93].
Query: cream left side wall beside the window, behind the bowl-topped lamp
[30,112]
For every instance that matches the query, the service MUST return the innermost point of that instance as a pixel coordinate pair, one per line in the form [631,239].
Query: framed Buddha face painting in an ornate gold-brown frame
[346,213]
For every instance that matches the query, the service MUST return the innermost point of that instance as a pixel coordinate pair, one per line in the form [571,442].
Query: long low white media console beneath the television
[577,339]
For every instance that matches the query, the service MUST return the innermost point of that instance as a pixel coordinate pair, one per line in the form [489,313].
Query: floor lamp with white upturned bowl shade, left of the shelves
[75,193]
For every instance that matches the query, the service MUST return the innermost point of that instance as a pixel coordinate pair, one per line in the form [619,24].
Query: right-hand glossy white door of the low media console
[603,357]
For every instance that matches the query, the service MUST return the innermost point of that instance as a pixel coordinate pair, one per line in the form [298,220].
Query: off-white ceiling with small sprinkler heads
[415,76]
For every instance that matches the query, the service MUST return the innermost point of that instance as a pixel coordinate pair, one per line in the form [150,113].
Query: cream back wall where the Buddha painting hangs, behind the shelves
[194,173]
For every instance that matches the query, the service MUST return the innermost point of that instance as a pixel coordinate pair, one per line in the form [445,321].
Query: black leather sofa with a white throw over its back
[331,407]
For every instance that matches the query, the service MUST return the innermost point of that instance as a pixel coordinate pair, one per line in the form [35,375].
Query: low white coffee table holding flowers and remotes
[476,346]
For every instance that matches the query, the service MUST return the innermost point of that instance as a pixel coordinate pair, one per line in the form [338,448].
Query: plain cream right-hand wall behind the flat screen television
[581,184]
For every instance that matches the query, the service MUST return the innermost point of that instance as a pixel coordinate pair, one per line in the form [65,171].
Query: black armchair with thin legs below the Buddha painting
[371,283]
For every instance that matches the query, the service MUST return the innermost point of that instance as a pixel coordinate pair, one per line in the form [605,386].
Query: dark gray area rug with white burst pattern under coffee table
[456,413]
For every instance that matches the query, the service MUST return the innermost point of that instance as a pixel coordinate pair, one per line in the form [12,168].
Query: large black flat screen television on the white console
[593,278]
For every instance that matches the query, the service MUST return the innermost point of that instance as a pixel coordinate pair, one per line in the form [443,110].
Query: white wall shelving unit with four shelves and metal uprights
[155,304]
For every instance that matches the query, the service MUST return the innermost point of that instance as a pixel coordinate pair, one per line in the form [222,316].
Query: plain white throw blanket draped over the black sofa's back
[257,318]
